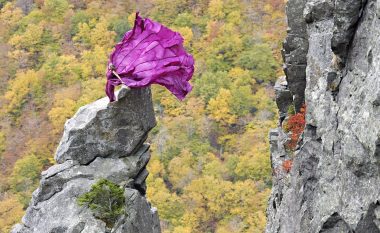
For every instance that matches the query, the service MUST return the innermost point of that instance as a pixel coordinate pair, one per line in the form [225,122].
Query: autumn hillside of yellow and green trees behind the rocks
[210,167]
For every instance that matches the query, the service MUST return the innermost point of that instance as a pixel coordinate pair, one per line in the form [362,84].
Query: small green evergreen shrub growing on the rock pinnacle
[106,200]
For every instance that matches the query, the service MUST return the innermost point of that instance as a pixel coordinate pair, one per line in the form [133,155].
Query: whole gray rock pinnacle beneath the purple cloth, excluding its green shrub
[102,140]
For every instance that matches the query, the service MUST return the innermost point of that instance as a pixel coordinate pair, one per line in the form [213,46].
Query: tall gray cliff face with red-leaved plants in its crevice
[334,183]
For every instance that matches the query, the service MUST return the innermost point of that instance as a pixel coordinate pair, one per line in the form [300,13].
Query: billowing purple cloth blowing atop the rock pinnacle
[150,53]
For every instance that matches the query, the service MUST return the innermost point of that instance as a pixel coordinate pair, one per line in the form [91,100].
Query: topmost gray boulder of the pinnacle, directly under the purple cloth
[125,123]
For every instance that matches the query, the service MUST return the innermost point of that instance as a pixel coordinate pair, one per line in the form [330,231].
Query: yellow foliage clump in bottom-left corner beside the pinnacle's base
[10,213]
